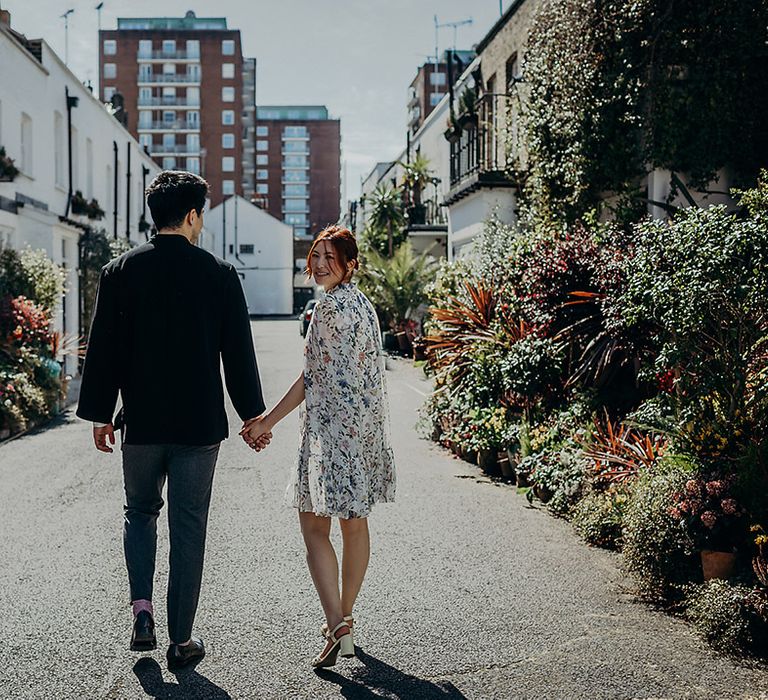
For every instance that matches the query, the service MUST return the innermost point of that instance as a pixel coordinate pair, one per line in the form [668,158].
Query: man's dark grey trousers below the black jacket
[189,471]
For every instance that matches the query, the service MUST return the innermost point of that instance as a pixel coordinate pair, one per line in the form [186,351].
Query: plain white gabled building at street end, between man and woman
[261,249]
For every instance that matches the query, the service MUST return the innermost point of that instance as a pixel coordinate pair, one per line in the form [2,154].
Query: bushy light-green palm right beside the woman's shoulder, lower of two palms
[397,285]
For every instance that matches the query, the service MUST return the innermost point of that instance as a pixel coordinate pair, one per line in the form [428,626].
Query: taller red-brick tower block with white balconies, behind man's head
[182,87]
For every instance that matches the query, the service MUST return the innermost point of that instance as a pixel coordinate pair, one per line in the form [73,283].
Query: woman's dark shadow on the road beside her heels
[364,683]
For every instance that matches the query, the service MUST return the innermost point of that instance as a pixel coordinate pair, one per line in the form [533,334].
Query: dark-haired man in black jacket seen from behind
[167,315]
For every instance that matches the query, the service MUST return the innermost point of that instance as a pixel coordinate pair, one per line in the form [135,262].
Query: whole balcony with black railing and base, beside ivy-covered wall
[478,155]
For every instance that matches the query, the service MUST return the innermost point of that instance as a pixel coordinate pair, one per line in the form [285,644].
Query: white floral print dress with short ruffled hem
[345,462]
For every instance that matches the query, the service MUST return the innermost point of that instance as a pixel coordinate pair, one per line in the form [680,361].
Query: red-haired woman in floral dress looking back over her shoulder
[345,460]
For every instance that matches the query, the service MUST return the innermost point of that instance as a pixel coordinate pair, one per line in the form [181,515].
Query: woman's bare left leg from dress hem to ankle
[323,565]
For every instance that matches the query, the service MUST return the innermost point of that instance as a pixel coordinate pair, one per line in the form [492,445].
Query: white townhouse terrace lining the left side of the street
[43,108]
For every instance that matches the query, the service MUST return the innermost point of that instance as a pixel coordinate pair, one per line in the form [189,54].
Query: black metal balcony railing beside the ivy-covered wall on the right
[480,147]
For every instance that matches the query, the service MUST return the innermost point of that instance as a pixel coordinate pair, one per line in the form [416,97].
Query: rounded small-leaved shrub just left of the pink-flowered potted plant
[655,548]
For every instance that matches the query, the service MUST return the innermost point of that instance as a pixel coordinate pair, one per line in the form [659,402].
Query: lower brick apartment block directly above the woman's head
[298,169]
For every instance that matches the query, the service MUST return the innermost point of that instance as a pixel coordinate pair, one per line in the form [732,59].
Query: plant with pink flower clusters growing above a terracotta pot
[707,511]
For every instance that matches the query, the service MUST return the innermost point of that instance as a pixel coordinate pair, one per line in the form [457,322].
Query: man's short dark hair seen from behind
[172,195]
